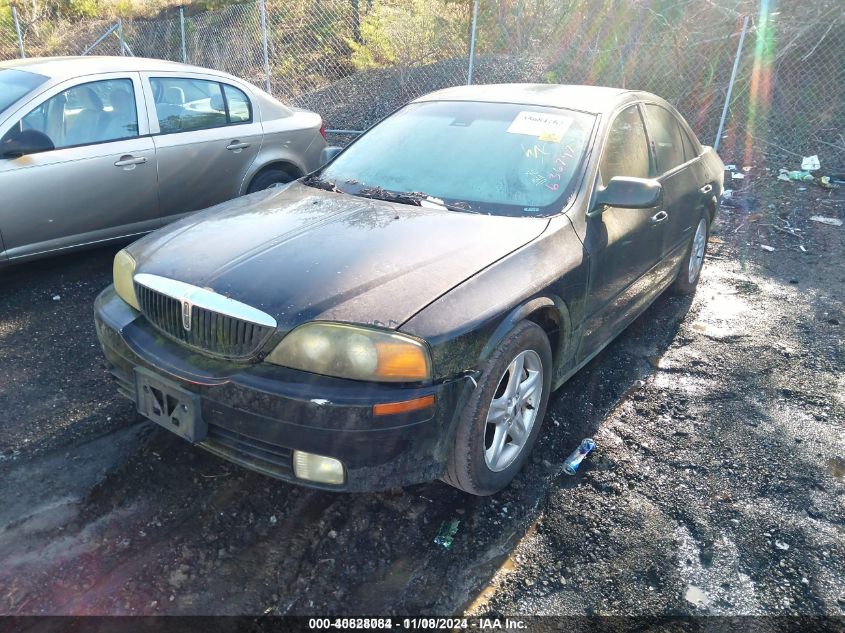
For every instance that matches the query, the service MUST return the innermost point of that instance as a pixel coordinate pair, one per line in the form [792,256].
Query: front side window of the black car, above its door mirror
[626,149]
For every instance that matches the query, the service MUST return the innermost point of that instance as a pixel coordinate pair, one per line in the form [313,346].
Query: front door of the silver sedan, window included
[97,183]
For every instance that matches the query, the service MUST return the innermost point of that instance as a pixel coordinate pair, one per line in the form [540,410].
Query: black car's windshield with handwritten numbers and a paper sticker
[497,158]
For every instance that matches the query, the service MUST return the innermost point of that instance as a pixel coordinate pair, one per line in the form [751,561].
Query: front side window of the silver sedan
[95,112]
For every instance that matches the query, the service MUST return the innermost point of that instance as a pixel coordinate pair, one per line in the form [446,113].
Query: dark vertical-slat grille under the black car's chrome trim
[211,332]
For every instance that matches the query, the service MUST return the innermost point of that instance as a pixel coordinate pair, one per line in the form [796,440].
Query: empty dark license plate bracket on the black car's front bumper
[169,405]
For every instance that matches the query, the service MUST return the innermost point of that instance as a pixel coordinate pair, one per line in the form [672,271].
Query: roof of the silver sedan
[69,67]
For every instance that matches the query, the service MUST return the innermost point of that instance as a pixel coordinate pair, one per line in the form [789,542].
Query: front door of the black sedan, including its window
[623,245]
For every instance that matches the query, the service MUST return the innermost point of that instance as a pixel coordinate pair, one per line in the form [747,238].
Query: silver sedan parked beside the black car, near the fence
[96,149]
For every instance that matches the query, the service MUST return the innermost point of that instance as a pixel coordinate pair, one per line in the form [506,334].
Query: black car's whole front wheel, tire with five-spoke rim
[472,466]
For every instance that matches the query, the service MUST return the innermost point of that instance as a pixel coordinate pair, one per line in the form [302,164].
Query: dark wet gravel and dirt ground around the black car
[716,487]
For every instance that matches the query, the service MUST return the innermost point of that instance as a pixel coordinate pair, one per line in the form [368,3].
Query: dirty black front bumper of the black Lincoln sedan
[257,415]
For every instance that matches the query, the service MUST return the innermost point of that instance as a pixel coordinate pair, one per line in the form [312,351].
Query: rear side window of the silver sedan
[184,105]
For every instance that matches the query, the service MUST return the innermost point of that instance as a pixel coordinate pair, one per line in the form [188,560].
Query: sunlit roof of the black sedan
[597,99]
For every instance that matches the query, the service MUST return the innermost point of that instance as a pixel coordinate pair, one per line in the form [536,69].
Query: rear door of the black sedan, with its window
[682,176]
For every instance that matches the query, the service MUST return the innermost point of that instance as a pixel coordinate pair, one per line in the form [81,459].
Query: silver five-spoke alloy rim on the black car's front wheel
[513,410]
